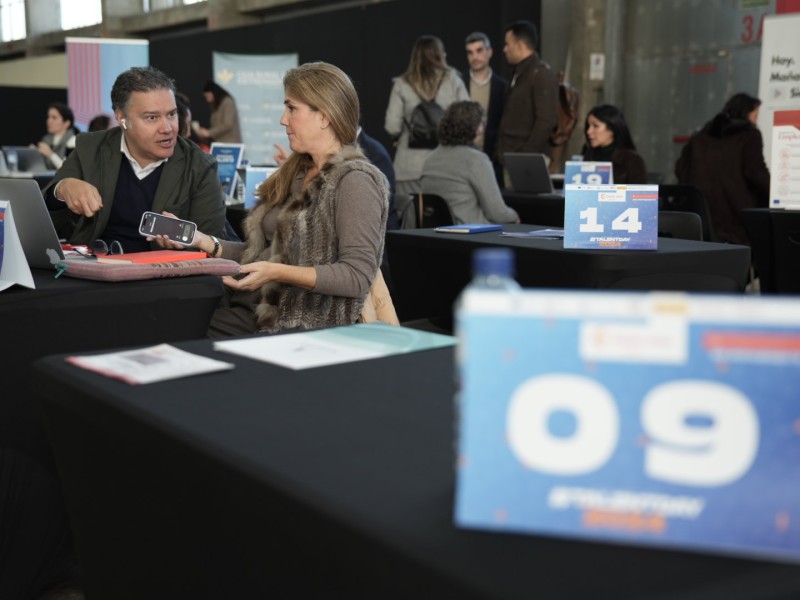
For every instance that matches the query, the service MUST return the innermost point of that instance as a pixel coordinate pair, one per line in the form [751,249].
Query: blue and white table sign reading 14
[615,217]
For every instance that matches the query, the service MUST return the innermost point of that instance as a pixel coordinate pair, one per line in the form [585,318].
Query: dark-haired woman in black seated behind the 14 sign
[608,139]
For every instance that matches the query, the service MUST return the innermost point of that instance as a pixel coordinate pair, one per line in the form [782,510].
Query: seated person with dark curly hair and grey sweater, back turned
[461,173]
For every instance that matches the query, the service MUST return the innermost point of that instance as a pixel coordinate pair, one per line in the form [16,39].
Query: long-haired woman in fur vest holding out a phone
[315,238]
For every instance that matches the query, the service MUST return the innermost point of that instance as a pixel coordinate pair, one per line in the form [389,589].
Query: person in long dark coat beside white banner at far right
[725,160]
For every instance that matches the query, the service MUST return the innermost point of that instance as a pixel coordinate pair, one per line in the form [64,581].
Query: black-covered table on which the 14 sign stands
[430,269]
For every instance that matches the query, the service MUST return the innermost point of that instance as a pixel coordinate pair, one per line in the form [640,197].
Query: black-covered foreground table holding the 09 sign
[336,482]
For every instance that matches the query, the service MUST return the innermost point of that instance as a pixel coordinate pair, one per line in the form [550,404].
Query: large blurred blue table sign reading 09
[664,419]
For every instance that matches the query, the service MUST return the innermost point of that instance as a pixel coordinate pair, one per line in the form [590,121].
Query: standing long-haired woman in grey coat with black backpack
[418,99]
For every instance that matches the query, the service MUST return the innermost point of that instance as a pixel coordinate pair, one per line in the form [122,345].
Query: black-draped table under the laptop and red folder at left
[68,315]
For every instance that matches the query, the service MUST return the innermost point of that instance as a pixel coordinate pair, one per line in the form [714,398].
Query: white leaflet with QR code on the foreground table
[148,365]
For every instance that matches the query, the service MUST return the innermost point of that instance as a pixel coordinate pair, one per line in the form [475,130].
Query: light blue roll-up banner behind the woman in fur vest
[256,83]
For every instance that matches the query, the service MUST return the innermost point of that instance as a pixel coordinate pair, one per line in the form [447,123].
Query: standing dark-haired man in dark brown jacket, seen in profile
[530,114]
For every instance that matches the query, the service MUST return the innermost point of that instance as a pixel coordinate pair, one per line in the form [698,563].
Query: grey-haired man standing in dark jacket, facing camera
[488,89]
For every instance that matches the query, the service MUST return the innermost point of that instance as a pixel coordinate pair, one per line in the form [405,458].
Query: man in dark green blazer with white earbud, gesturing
[113,176]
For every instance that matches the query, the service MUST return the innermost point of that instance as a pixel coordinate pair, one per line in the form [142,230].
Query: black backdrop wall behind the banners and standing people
[371,43]
